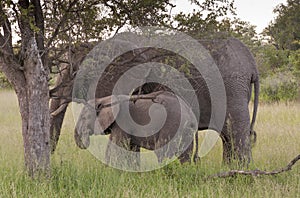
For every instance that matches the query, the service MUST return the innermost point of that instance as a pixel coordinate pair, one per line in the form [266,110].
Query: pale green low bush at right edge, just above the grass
[278,87]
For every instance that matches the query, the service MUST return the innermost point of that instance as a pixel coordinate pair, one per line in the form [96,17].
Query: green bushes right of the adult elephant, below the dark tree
[279,73]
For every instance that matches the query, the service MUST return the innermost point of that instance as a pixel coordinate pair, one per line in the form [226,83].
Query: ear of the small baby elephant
[108,111]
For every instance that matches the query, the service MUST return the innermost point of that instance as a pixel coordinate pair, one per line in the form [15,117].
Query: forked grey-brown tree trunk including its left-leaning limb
[31,86]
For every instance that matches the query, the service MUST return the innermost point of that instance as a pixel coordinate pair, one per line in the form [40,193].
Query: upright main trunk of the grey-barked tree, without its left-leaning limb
[34,108]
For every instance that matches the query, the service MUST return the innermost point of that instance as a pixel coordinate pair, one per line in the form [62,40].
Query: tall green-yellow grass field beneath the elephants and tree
[76,173]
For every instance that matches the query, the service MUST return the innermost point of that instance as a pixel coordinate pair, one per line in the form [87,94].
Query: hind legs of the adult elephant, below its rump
[236,136]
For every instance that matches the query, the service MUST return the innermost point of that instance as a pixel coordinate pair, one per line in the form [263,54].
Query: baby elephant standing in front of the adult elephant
[158,121]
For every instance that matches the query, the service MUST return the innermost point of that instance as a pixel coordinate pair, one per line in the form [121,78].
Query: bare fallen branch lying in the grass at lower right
[254,172]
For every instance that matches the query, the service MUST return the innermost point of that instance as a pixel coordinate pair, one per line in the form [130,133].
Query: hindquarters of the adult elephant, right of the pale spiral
[239,72]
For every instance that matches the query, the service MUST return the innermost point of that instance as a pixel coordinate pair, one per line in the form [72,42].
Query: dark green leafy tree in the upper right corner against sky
[285,30]
